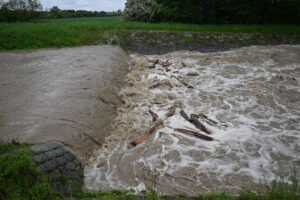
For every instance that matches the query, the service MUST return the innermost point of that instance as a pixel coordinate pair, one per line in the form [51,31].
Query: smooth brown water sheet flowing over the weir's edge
[66,96]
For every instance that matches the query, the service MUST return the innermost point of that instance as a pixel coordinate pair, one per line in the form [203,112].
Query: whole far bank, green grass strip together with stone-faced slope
[92,31]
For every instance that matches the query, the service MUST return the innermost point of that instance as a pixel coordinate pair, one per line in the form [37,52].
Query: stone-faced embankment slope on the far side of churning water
[160,42]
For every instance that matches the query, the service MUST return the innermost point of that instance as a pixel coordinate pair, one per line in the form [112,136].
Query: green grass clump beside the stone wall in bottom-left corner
[19,178]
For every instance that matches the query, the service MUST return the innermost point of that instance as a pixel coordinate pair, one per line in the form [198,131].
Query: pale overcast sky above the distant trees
[93,5]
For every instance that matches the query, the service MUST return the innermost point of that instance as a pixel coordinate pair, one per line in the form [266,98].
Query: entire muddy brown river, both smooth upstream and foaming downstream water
[72,96]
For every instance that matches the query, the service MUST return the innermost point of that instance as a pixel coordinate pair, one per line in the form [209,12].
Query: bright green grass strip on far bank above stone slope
[84,31]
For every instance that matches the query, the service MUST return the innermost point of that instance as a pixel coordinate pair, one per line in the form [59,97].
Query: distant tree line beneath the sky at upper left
[26,10]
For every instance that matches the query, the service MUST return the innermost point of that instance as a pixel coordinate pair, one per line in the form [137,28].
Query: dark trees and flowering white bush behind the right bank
[214,11]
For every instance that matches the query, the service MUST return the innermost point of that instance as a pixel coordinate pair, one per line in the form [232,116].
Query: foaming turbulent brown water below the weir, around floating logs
[252,93]
